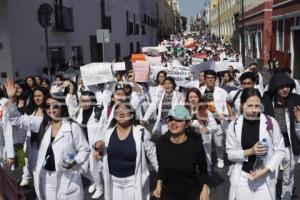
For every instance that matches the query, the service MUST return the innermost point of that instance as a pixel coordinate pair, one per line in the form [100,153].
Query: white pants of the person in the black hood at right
[288,164]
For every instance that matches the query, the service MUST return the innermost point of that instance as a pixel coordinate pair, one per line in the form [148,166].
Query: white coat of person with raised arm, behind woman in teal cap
[157,104]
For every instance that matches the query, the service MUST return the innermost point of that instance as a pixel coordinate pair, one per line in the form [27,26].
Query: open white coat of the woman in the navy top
[145,149]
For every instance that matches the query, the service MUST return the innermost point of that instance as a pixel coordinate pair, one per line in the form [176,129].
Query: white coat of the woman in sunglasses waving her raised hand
[70,134]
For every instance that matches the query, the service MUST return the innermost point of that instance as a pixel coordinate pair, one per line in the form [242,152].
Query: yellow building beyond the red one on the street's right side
[228,10]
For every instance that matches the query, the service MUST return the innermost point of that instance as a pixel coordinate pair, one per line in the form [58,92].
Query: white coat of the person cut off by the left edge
[6,136]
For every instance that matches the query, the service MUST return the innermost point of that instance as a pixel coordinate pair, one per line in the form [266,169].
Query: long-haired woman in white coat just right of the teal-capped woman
[203,121]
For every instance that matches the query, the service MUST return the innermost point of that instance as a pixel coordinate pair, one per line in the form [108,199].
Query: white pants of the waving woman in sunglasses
[48,184]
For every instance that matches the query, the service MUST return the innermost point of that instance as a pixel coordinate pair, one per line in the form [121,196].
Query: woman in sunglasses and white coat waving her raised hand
[62,149]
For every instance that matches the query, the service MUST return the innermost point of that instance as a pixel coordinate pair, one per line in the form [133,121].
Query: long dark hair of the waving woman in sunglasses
[47,120]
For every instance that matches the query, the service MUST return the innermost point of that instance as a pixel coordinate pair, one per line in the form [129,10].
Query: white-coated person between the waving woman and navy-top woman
[88,117]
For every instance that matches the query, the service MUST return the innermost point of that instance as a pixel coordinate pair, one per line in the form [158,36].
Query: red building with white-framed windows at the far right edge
[286,34]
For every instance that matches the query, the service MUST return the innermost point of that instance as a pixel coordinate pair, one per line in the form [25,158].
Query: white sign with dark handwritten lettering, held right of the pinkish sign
[179,73]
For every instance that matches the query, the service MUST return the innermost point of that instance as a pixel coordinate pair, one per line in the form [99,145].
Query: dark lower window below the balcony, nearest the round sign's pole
[57,57]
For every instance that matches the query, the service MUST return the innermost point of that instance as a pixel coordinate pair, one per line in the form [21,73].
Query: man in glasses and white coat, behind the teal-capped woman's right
[217,105]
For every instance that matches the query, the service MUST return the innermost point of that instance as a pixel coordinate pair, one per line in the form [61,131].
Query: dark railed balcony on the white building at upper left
[63,19]
